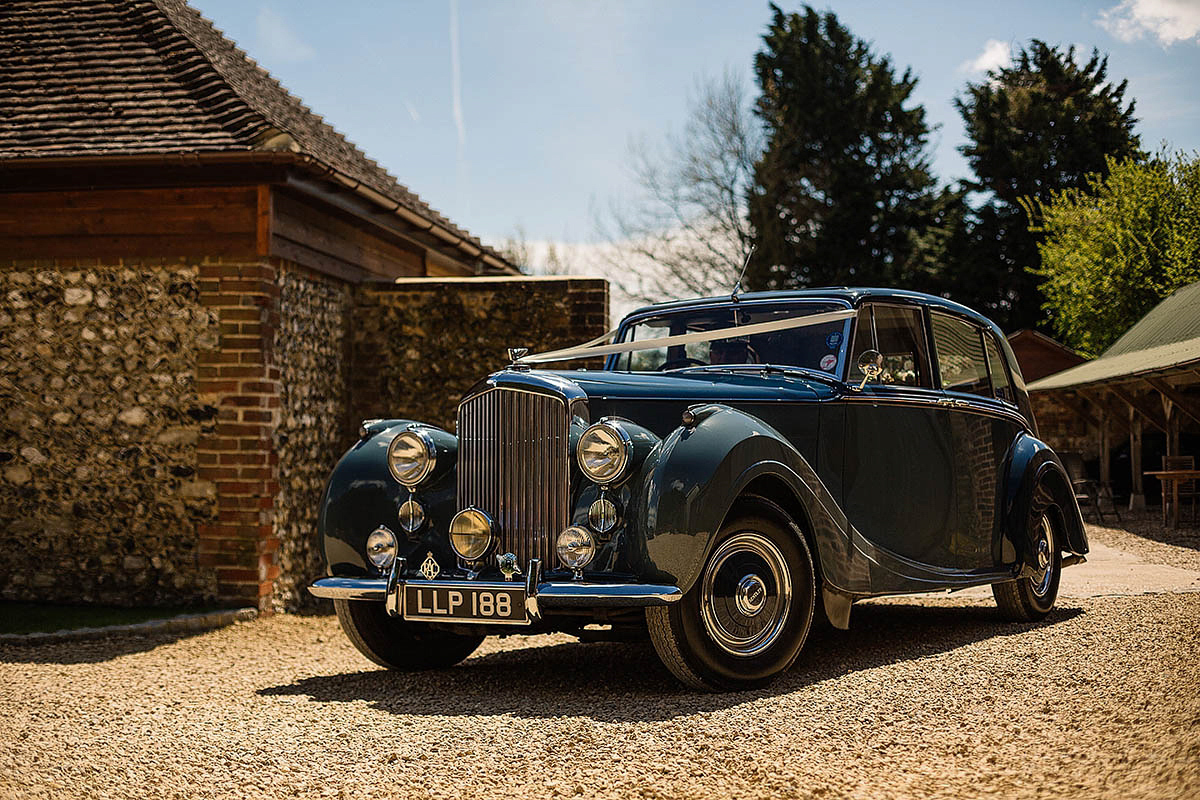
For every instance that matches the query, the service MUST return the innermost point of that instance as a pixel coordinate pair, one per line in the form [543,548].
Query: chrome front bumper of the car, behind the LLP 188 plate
[539,594]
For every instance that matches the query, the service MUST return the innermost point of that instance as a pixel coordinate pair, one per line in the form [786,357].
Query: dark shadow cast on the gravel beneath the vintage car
[626,683]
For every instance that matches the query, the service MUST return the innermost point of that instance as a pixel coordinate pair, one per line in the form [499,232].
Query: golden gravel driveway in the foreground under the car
[931,697]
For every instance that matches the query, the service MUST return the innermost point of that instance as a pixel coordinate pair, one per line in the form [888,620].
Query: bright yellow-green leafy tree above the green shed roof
[1118,246]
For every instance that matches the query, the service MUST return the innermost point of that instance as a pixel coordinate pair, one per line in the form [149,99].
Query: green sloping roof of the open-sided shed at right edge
[1166,339]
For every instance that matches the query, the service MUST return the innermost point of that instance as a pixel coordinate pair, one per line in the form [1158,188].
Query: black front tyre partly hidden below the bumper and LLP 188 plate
[397,645]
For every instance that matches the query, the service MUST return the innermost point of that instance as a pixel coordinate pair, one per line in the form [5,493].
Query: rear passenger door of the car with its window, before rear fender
[985,422]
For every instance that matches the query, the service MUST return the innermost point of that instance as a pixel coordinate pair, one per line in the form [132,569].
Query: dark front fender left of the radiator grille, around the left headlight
[362,495]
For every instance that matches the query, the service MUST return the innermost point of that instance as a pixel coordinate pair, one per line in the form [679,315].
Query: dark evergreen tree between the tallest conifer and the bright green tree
[1041,127]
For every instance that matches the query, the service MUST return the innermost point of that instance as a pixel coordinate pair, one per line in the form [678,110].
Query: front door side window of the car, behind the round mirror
[898,334]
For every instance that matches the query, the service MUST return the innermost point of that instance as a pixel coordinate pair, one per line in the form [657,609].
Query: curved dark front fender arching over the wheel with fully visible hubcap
[689,484]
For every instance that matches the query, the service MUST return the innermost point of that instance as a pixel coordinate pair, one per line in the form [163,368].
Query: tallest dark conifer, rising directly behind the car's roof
[843,191]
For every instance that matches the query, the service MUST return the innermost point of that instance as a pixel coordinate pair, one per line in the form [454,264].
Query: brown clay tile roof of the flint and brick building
[142,77]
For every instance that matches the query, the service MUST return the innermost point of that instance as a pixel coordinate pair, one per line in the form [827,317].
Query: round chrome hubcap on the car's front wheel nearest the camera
[746,594]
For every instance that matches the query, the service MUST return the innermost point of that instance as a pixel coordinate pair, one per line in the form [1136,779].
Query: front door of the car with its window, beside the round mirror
[899,485]
